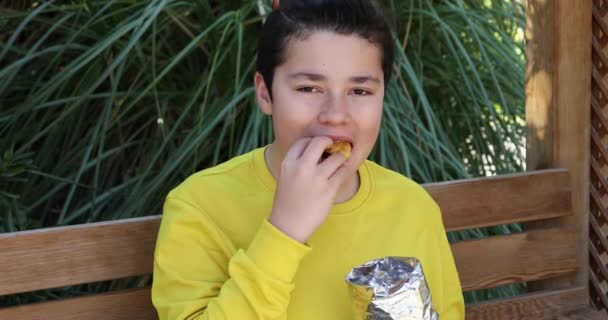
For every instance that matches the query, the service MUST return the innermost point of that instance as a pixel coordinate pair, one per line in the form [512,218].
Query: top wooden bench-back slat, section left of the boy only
[56,257]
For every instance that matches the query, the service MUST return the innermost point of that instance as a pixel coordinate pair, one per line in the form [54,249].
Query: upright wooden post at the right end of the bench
[558,99]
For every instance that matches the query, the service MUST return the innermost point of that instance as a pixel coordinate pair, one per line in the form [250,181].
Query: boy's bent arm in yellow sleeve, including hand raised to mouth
[199,274]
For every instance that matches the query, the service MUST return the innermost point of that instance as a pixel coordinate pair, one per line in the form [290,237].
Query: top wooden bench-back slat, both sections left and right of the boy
[56,257]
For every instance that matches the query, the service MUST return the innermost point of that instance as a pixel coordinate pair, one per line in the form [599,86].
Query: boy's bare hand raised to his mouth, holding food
[307,188]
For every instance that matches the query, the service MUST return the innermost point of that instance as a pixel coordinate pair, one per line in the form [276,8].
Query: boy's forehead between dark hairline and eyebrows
[332,54]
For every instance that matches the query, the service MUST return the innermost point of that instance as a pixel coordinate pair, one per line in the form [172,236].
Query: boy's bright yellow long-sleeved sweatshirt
[217,256]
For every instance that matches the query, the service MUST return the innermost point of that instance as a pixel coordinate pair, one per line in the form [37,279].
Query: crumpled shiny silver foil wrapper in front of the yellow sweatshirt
[391,288]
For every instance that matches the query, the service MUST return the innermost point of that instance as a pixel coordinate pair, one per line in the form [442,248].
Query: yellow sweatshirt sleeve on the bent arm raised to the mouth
[199,274]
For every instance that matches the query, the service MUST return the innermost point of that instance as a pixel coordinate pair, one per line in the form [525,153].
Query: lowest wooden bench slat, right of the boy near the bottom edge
[536,306]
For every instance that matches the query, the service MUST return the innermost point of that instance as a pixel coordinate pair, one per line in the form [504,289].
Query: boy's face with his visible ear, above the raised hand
[330,85]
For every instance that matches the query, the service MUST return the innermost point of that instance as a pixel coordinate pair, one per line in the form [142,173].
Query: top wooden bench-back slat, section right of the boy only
[503,199]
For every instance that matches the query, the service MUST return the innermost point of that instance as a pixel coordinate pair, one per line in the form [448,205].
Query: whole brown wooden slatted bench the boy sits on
[57,257]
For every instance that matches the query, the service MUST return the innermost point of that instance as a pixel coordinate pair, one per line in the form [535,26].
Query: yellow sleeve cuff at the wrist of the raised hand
[276,253]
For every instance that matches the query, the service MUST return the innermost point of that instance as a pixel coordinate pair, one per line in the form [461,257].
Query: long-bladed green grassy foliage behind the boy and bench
[107,105]
